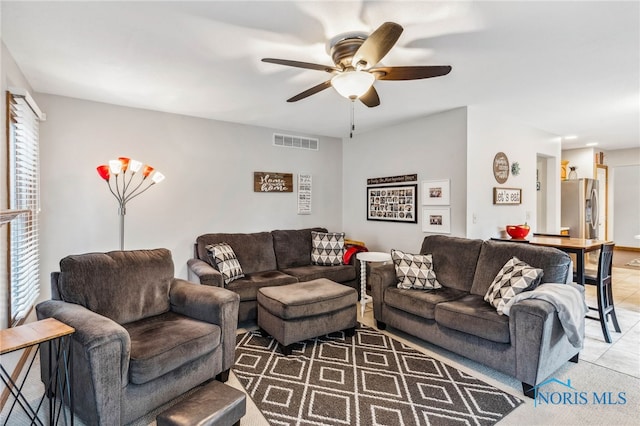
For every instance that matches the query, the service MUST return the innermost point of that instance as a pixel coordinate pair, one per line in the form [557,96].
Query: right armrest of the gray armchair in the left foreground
[211,304]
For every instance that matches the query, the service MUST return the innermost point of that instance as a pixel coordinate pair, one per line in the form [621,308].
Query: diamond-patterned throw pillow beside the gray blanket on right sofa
[515,277]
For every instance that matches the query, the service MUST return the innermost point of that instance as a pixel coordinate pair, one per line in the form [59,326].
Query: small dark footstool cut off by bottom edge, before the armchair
[214,404]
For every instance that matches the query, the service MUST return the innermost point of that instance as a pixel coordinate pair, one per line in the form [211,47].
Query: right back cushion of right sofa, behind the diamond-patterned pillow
[494,254]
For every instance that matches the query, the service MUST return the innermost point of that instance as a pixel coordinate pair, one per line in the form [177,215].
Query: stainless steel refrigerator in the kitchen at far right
[579,206]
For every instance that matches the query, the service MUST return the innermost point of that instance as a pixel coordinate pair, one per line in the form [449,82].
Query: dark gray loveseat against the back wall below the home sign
[267,259]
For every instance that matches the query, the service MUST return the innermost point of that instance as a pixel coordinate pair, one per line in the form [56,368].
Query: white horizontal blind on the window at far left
[24,193]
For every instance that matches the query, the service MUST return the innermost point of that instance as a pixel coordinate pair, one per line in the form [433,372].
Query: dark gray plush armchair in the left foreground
[142,336]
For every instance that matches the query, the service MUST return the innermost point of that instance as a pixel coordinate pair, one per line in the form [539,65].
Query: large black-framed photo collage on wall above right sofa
[393,203]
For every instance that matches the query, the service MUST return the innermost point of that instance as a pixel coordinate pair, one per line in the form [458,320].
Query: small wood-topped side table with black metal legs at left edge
[57,336]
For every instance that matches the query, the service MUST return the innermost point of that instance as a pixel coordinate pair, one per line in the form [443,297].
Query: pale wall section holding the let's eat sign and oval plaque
[489,134]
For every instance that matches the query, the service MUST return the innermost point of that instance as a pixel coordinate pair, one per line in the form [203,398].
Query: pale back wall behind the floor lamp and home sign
[209,169]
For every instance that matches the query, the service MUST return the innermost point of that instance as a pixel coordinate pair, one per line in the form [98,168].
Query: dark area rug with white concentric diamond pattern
[367,379]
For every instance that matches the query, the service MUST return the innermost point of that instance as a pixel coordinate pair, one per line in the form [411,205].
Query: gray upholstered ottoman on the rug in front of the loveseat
[295,312]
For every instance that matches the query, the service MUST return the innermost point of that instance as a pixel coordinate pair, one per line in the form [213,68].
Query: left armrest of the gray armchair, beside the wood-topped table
[96,343]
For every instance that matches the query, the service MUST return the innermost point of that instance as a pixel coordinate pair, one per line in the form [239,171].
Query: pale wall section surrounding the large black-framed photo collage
[434,147]
